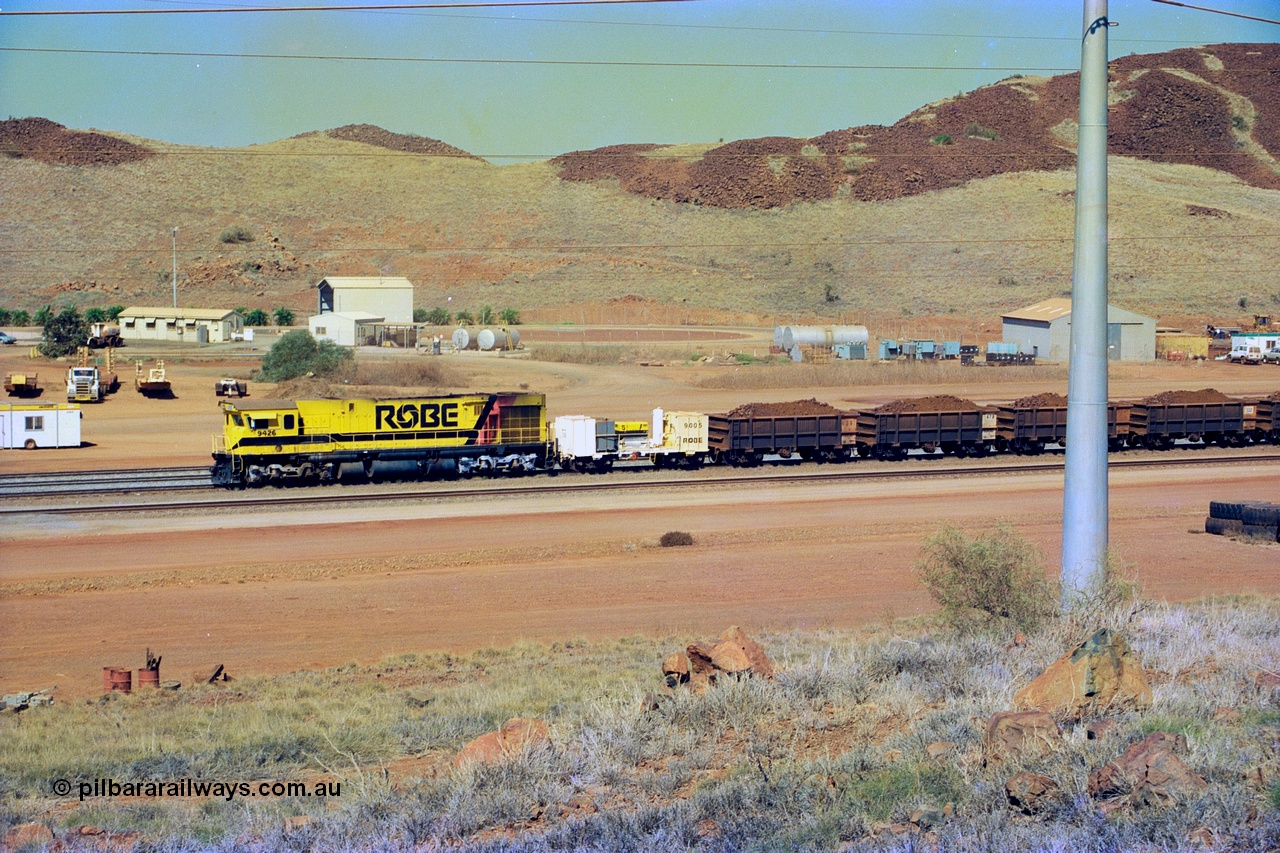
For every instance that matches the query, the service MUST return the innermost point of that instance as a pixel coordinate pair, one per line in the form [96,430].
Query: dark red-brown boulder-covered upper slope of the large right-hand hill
[1203,107]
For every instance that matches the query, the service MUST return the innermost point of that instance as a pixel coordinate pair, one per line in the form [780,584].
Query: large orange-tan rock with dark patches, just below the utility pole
[1101,673]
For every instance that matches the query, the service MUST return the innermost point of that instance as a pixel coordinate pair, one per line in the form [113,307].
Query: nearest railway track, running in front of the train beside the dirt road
[321,495]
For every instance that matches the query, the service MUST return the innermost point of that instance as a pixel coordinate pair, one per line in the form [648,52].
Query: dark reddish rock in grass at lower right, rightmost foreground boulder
[1149,774]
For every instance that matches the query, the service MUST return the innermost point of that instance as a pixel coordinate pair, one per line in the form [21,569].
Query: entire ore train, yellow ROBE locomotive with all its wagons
[313,441]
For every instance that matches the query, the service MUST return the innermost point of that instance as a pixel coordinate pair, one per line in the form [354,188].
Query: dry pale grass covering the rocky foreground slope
[825,755]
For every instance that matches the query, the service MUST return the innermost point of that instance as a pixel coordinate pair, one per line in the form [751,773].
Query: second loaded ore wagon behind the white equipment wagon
[931,425]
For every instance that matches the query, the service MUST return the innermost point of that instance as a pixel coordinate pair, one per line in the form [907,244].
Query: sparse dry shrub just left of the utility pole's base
[993,580]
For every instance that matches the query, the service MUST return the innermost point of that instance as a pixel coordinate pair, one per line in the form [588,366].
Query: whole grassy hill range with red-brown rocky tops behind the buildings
[962,209]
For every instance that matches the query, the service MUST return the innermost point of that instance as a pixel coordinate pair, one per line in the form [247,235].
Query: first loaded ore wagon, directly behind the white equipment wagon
[806,428]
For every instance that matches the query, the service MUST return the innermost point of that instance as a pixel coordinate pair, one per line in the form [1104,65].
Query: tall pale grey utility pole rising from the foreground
[1085,499]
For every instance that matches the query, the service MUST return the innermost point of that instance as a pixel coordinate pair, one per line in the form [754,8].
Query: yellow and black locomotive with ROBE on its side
[310,440]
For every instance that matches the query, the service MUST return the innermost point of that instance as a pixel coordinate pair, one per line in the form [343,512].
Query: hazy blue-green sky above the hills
[532,83]
